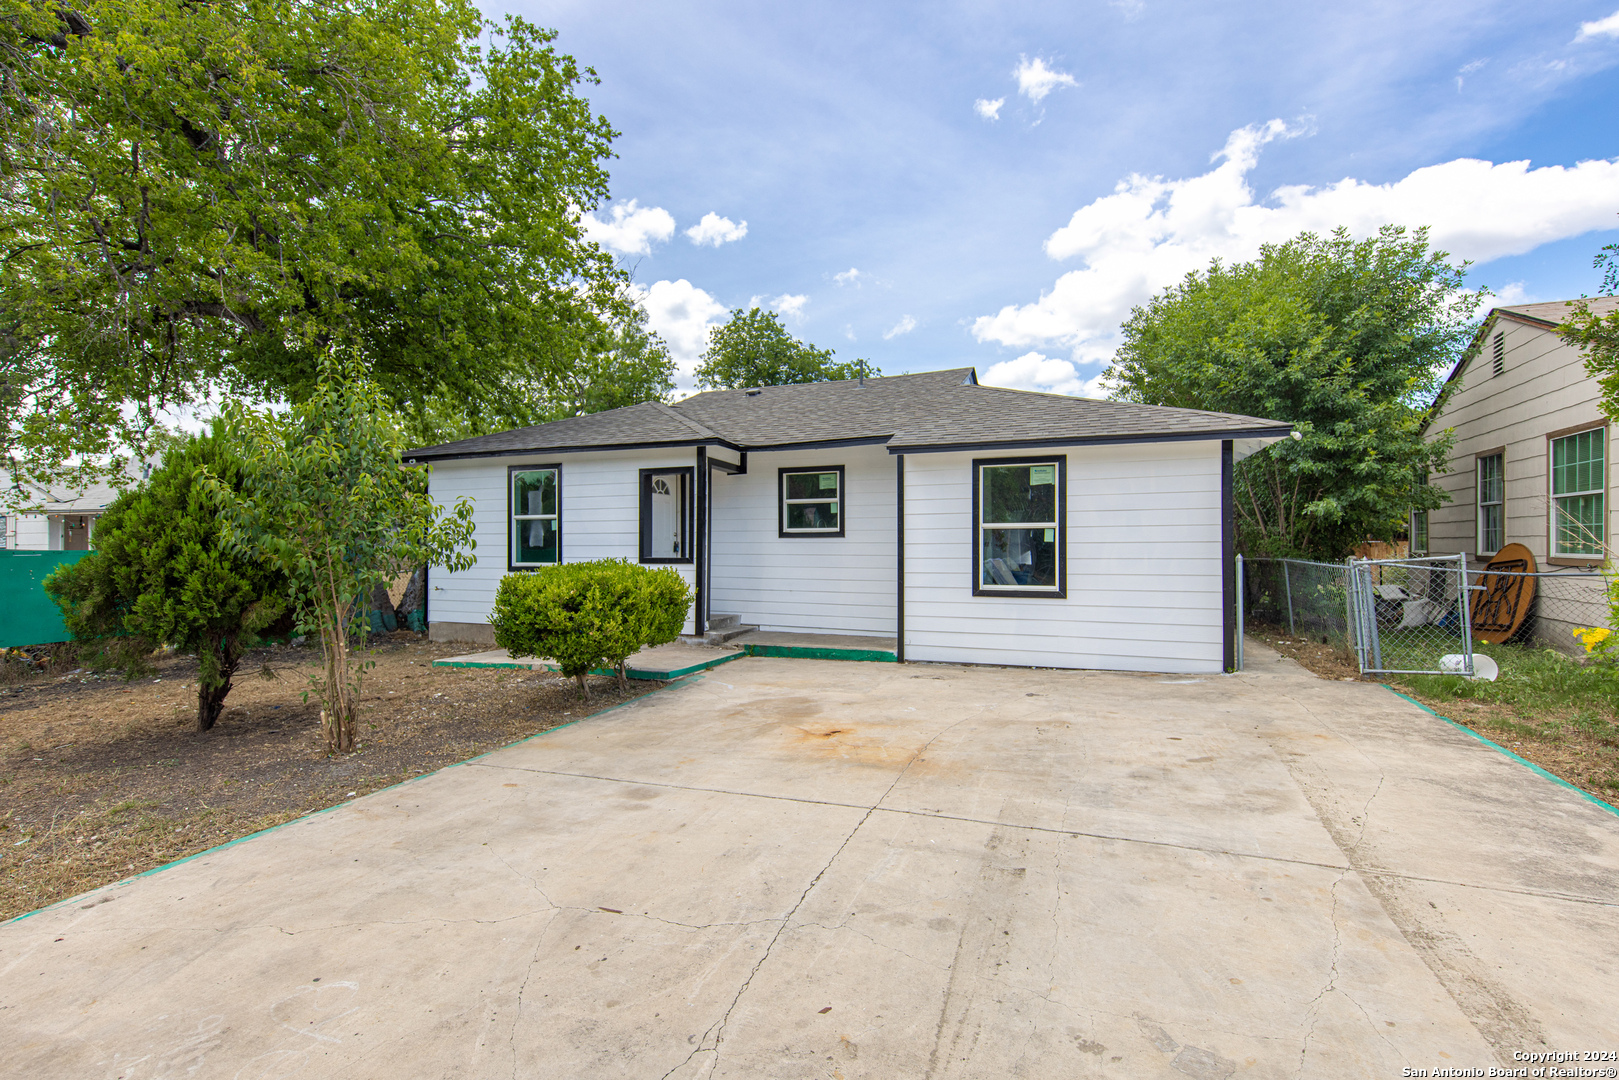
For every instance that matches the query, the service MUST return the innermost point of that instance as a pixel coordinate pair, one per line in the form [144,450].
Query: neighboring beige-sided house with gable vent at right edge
[1532,461]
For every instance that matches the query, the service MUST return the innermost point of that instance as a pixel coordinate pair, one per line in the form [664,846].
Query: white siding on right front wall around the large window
[1144,566]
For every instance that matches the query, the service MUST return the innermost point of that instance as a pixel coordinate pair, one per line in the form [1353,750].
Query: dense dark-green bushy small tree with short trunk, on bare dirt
[164,574]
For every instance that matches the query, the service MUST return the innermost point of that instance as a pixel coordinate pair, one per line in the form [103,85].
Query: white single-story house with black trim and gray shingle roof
[967,524]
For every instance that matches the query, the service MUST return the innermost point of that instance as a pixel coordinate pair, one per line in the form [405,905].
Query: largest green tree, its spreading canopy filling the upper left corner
[208,197]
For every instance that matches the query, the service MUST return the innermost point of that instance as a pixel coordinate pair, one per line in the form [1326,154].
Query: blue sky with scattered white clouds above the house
[1008,181]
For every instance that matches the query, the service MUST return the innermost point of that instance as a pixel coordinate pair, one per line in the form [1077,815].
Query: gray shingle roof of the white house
[922,412]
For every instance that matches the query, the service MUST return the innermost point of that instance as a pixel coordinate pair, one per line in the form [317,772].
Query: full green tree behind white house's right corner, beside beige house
[1348,341]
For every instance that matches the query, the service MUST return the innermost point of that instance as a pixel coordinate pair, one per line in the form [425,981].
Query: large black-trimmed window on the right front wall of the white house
[1021,527]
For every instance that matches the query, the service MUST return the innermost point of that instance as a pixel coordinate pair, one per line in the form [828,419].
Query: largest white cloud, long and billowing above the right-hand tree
[1150,232]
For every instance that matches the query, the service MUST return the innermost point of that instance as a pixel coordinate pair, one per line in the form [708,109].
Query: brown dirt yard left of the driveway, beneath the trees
[103,778]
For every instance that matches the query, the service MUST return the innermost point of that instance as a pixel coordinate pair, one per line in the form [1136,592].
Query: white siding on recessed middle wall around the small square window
[807,584]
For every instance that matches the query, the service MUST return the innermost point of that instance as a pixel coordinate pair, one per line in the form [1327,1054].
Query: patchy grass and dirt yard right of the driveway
[1547,707]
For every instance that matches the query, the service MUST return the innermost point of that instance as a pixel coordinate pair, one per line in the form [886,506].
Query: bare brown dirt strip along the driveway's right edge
[1587,760]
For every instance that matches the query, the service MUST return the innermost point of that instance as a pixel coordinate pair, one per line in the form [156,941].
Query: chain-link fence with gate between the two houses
[1408,614]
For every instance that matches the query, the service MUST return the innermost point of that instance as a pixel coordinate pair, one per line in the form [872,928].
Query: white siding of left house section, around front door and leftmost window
[601,514]
